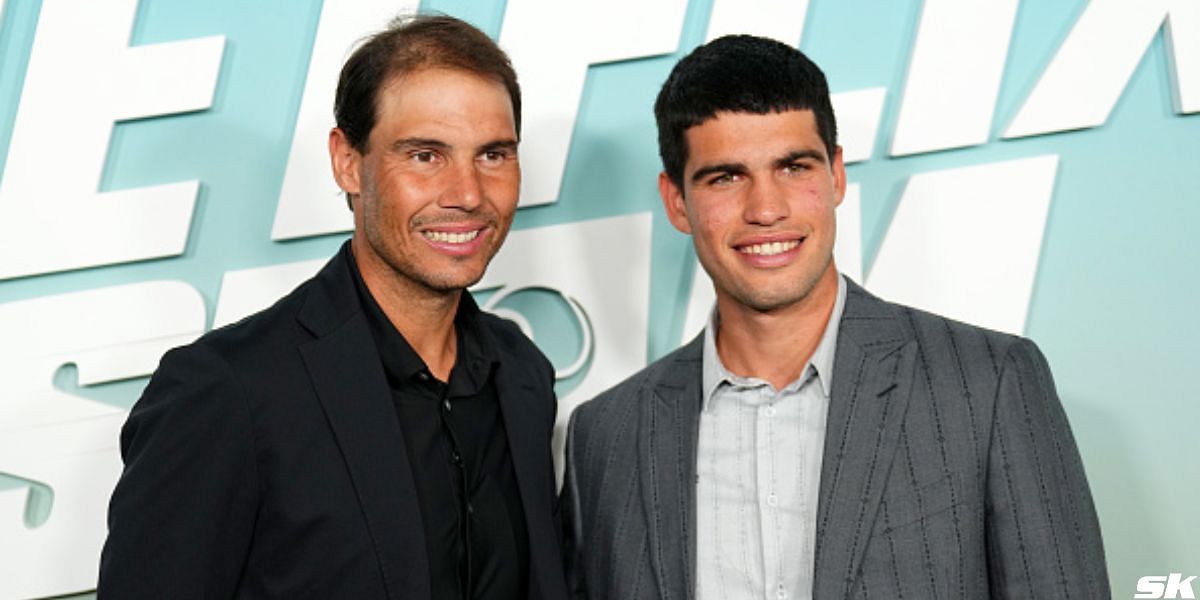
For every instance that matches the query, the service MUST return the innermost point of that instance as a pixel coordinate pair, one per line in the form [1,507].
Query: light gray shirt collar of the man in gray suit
[821,363]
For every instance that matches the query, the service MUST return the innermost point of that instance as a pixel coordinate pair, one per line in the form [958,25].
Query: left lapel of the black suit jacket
[352,388]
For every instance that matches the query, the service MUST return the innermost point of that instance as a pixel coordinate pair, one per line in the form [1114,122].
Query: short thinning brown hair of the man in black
[409,45]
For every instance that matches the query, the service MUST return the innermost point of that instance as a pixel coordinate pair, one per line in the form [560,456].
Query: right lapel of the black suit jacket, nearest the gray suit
[530,448]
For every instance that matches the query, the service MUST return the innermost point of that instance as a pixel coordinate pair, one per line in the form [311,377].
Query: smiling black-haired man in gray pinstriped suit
[815,441]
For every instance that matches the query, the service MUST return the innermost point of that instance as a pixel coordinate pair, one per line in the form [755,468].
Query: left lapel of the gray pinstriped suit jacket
[668,433]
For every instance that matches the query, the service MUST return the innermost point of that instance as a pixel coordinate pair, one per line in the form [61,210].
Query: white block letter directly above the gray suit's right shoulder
[940,253]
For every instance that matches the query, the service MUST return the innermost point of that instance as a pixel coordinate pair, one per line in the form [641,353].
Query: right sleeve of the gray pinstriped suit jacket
[1043,536]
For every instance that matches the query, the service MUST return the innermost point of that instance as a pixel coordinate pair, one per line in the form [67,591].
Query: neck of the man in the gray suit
[775,345]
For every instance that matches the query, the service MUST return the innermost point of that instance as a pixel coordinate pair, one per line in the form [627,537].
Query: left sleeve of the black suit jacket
[182,515]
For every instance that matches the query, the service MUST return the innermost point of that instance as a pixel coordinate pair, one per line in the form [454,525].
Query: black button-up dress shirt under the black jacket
[454,434]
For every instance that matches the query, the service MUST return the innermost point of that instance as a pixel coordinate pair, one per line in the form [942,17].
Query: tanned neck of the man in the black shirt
[425,317]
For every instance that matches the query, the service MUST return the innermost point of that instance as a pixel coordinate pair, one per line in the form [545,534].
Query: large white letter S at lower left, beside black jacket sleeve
[70,443]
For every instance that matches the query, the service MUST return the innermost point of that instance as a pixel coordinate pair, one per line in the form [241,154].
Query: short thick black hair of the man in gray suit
[739,74]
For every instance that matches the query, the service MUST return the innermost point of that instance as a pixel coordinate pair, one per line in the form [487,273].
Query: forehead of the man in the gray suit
[743,137]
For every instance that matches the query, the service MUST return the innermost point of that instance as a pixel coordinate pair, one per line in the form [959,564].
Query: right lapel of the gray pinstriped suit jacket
[872,381]
